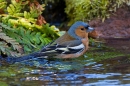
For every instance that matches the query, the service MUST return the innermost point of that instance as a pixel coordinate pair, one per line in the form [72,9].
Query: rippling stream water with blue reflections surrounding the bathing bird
[101,66]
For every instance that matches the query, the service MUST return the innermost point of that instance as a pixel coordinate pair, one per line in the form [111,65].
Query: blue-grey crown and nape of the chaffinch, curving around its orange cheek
[71,31]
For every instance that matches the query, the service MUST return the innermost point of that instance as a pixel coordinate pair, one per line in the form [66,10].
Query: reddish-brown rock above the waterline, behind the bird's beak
[117,26]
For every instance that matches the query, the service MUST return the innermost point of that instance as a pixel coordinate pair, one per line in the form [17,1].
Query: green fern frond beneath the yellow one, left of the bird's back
[30,40]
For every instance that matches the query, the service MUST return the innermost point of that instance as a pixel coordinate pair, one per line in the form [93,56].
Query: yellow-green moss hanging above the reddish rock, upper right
[87,10]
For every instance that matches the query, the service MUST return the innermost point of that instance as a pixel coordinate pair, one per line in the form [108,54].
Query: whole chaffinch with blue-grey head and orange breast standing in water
[72,44]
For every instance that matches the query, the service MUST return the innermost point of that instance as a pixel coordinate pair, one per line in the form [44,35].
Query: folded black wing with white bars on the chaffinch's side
[69,47]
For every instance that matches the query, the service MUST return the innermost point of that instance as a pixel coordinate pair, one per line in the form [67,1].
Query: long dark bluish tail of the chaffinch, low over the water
[23,58]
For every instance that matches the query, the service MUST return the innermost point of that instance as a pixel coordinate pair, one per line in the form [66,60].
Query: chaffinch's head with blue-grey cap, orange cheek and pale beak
[79,30]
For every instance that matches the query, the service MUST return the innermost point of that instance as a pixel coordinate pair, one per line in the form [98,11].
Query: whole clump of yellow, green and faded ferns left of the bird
[19,33]
